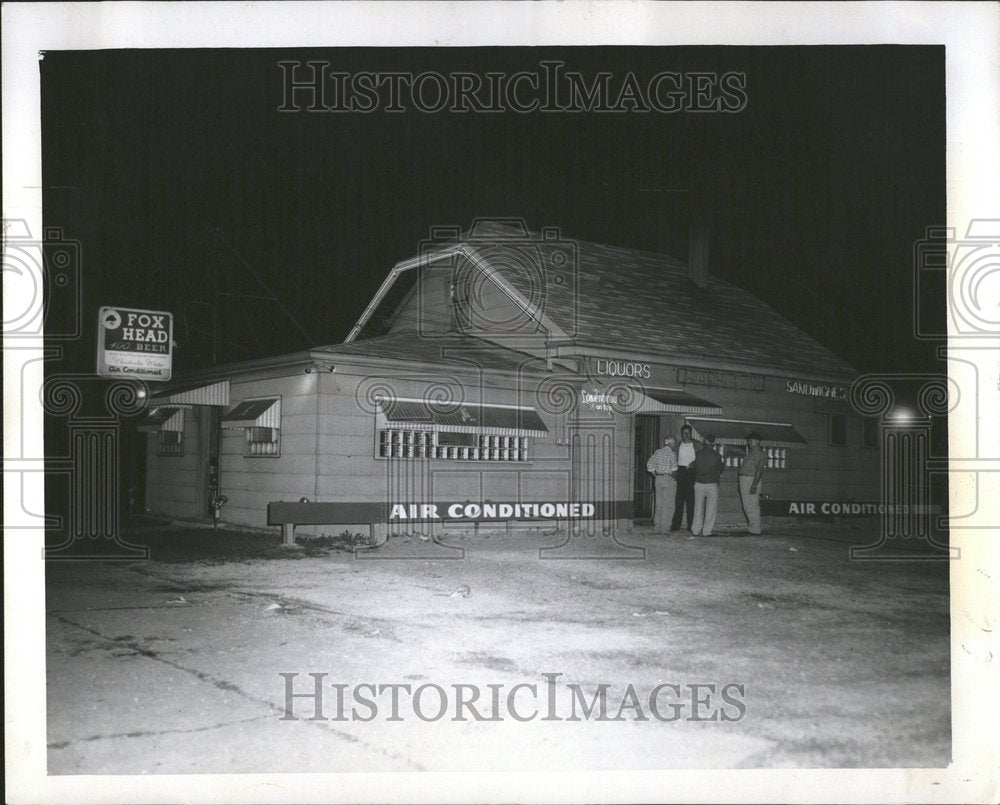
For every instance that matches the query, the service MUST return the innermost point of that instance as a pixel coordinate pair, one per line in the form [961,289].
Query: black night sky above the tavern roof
[186,187]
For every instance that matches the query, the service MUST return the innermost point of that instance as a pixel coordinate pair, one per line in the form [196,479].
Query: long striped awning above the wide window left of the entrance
[493,420]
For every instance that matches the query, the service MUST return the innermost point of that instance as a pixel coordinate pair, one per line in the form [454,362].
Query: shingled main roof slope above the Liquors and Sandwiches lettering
[644,302]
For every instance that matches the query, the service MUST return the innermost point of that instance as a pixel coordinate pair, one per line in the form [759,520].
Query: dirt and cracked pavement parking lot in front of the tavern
[740,652]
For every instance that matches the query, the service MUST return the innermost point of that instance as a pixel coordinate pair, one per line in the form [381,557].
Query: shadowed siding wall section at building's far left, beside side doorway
[172,481]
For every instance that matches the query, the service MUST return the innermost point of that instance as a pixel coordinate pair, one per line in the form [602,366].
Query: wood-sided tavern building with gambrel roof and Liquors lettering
[513,378]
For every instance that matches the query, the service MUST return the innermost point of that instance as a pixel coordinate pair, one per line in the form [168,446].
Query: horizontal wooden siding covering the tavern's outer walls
[341,424]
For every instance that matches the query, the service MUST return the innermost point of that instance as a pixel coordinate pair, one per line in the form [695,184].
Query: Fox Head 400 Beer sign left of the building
[134,343]
